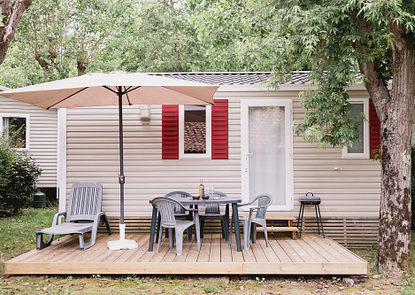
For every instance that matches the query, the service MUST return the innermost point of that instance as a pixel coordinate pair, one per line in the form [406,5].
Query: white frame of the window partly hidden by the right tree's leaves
[366,132]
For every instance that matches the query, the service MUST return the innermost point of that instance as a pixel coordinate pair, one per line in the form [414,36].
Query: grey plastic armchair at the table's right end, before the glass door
[262,203]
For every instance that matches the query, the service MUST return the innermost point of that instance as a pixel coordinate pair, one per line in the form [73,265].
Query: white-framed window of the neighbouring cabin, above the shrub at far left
[16,128]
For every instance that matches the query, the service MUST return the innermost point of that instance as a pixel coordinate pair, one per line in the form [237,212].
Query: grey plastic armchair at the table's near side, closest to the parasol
[166,208]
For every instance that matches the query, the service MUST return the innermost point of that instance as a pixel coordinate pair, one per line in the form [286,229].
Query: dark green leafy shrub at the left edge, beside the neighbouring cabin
[18,175]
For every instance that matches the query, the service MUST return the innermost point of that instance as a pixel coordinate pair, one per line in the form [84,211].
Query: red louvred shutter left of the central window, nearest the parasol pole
[170,132]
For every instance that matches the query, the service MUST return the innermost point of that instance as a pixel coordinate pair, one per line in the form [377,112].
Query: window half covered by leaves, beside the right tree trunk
[359,149]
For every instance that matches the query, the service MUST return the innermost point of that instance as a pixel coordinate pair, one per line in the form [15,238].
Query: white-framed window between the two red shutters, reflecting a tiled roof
[194,131]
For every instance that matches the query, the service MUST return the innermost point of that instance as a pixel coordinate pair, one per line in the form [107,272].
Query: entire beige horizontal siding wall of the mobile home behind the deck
[93,155]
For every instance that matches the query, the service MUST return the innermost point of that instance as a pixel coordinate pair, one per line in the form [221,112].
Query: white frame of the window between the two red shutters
[208,154]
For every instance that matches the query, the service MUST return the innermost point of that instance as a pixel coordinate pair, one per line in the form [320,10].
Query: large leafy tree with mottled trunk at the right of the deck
[341,42]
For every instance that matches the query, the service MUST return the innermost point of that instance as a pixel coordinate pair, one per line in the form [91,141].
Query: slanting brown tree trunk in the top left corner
[11,19]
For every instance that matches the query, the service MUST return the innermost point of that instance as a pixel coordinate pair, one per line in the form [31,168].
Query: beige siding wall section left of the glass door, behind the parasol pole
[93,155]
